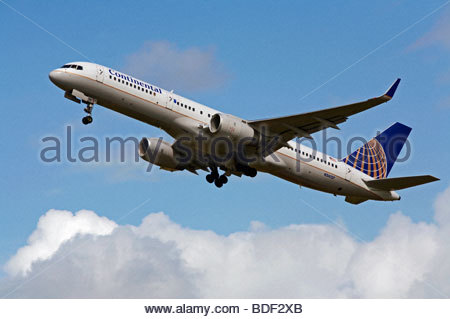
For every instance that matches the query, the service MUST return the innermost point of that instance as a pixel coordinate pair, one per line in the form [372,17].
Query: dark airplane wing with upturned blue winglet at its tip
[303,125]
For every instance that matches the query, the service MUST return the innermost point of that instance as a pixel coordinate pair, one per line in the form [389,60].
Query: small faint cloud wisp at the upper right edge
[439,35]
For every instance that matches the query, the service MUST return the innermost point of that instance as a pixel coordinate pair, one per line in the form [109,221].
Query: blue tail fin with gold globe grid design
[376,157]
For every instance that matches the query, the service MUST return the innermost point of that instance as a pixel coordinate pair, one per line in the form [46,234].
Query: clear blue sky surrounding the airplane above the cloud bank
[266,57]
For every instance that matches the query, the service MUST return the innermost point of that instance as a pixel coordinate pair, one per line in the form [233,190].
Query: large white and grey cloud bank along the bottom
[161,259]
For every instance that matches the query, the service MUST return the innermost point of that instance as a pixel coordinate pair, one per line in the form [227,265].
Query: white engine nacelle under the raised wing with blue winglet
[230,126]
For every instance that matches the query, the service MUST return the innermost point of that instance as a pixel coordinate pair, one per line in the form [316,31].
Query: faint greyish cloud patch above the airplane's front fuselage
[191,69]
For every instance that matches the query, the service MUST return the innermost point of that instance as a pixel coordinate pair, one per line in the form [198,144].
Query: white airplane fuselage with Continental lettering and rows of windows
[178,115]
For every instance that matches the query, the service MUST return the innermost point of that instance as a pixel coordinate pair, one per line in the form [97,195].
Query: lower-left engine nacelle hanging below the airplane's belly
[158,152]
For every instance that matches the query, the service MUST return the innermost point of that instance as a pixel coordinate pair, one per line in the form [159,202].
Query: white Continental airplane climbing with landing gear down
[209,140]
